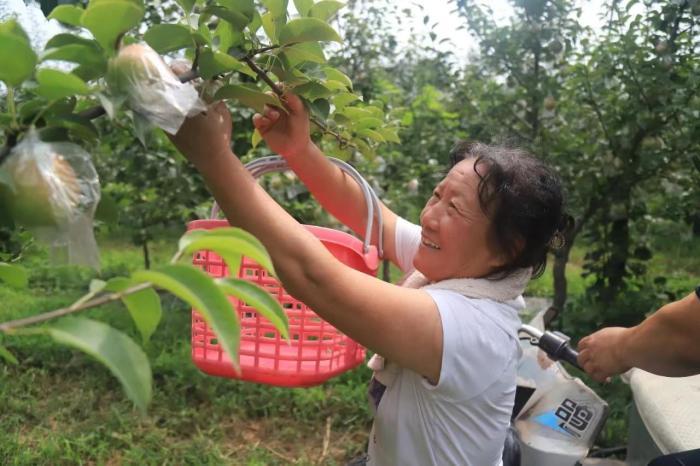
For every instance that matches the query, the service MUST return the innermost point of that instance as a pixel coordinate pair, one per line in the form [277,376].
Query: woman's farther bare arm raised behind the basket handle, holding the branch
[338,193]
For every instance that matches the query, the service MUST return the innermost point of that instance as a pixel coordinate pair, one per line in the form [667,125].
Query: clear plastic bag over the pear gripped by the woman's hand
[139,75]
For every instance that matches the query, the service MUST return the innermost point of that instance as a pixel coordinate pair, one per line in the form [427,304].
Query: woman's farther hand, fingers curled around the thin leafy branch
[285,133]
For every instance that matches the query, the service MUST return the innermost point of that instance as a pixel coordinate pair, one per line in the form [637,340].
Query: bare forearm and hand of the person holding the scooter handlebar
[666,343]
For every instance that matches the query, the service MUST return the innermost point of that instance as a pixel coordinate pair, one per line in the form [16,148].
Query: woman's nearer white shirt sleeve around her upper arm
[475,351]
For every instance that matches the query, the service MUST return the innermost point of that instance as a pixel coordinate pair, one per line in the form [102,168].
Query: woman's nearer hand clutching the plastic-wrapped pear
[205,136]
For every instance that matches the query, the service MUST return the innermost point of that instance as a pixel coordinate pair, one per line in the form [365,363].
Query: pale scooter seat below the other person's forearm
[669,408]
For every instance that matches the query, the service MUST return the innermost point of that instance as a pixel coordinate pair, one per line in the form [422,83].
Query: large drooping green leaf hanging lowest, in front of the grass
[112,348]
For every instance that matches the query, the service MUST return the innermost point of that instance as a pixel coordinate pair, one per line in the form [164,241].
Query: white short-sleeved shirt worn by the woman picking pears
[464,418]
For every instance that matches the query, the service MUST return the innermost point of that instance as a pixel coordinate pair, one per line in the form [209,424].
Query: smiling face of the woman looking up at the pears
[455,240]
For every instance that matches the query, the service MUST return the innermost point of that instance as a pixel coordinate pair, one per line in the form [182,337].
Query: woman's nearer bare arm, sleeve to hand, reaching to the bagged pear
[402,324]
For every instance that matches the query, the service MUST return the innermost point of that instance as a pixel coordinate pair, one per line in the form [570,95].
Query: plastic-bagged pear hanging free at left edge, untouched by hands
[53,190]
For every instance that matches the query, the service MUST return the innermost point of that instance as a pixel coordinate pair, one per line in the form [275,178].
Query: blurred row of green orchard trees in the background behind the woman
[615,110]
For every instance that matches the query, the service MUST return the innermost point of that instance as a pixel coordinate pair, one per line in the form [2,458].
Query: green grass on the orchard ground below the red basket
[61,407]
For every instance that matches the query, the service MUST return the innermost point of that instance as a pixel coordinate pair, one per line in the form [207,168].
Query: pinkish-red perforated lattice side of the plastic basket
[315,351]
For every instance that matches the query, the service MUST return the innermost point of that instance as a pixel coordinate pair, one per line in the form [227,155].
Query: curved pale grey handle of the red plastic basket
[264,165]
